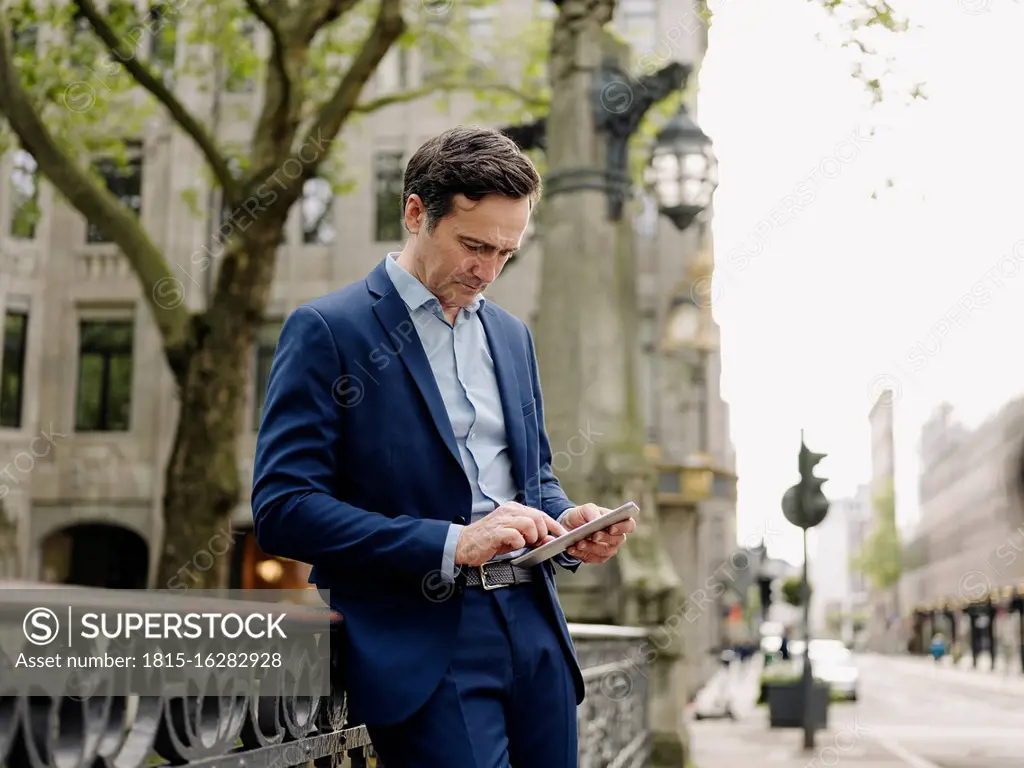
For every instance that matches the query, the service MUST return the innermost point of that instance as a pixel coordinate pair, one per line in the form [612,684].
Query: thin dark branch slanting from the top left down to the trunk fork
[145,77]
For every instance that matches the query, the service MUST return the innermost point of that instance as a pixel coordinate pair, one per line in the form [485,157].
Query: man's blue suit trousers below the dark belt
[507,701]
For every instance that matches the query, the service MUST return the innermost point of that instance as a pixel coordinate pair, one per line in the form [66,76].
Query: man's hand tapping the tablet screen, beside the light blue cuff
[509,528]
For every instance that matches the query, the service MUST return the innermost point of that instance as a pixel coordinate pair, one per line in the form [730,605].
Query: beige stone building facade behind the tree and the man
[88,405]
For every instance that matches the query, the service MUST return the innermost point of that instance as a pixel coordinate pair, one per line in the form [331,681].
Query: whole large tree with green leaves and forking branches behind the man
[93,91]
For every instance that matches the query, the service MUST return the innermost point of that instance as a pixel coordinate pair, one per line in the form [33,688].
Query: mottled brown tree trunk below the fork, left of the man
[202,484]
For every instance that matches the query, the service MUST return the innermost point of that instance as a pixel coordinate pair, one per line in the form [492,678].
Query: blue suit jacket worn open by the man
[358,474]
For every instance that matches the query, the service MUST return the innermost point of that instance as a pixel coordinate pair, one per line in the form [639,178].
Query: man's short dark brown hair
[471,161]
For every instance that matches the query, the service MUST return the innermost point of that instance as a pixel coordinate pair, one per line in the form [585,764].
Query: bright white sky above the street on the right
[836,296]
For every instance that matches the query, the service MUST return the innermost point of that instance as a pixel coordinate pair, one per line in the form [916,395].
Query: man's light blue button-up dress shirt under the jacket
[464,370]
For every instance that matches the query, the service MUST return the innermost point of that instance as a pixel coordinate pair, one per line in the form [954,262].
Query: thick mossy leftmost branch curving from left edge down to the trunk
[98,205]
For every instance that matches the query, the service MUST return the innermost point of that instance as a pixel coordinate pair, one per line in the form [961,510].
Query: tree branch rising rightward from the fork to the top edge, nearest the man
[389,27]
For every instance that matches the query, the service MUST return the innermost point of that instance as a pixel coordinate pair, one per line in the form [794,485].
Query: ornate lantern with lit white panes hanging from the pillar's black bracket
[684,170]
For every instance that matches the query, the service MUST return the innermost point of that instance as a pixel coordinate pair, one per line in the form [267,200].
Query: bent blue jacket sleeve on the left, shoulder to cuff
[297,513]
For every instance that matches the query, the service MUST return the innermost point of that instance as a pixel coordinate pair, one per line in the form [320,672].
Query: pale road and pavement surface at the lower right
[910,715]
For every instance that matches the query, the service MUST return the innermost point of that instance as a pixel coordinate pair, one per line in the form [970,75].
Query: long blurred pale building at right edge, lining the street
[966,566]
